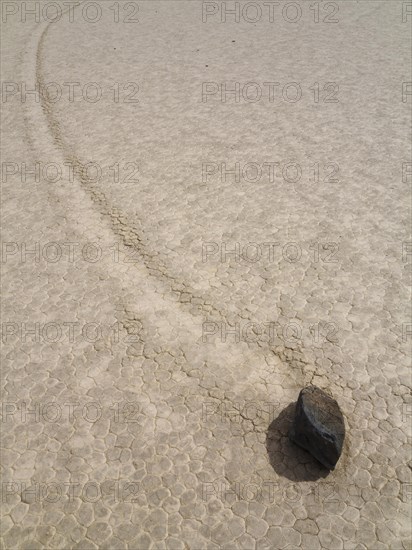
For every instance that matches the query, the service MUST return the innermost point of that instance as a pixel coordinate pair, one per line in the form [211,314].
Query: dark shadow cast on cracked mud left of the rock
[288,459]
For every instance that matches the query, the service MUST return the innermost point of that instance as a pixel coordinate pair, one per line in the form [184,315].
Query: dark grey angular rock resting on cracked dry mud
[318,426]
